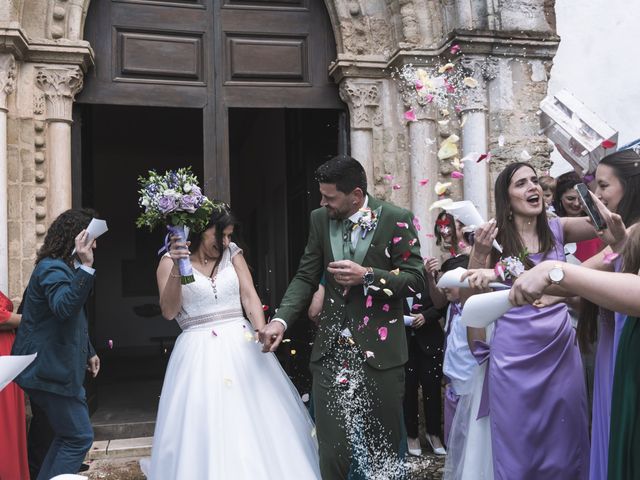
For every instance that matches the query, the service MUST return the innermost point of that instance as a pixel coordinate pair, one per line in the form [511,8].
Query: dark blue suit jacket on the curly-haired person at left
[54,324]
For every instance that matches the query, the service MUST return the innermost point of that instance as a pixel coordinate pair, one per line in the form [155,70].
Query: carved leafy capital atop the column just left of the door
[60,86]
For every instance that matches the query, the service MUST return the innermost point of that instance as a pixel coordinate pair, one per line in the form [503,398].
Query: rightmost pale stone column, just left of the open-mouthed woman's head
[474,136]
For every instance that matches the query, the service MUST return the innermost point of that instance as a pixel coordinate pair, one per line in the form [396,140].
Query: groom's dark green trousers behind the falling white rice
[358,413]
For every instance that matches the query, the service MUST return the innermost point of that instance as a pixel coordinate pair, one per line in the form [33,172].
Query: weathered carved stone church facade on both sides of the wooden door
[508,47]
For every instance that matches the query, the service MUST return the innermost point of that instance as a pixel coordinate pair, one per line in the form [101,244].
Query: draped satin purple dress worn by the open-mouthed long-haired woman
[537,394]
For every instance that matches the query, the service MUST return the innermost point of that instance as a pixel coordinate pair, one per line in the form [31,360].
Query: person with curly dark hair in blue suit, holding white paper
[54,325]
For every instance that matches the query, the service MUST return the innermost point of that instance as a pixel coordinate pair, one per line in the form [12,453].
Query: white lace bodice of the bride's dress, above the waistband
[215,298]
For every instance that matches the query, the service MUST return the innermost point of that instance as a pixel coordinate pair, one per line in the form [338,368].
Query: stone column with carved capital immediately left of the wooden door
[60,85]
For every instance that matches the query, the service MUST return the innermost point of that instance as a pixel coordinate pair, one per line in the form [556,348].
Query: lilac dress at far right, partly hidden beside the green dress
[609,328]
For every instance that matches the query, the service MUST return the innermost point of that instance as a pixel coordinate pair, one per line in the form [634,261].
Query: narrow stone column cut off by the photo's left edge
[7,84]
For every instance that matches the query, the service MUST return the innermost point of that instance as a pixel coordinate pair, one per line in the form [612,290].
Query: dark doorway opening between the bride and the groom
[273,155]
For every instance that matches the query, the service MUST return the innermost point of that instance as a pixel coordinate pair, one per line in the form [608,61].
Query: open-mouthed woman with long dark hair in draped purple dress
[537,396]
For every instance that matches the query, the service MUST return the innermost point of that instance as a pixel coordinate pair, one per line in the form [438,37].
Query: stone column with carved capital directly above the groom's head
[363,100]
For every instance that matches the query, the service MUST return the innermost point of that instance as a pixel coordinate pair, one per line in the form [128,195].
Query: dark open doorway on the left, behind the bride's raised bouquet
[118,144]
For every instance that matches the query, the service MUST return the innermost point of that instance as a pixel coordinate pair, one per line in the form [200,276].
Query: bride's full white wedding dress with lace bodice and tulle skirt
[227,411]
